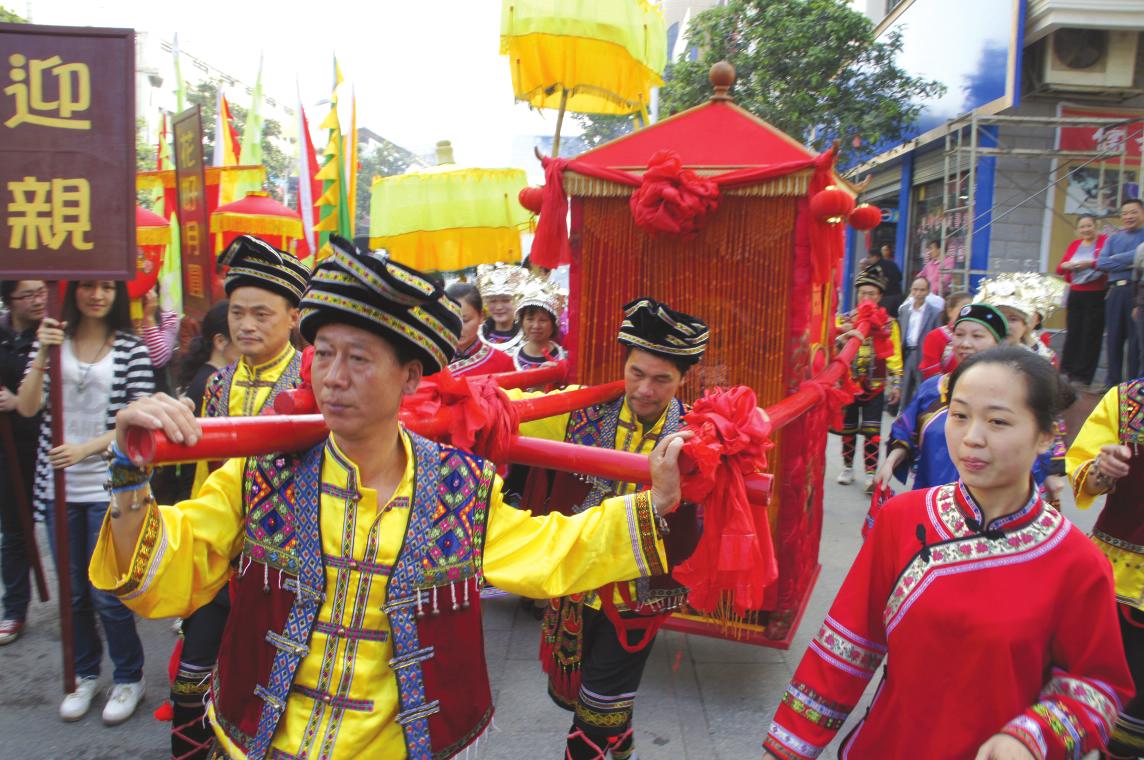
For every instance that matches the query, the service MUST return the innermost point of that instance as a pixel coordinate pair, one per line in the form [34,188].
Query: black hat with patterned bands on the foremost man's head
[395,302]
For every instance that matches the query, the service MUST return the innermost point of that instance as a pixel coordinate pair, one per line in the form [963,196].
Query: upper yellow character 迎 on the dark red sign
[73,92]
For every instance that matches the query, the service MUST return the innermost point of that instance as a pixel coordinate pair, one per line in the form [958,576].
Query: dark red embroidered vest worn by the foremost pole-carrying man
[439,659]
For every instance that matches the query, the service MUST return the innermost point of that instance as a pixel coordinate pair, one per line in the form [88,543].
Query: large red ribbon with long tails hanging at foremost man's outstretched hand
[736,555]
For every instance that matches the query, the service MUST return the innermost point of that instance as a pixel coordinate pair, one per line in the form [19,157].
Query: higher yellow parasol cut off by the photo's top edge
[587,57]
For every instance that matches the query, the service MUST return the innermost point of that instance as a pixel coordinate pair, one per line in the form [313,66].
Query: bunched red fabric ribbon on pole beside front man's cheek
[481,416]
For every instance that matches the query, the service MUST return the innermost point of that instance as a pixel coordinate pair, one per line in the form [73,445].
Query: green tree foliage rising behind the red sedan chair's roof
[812,68]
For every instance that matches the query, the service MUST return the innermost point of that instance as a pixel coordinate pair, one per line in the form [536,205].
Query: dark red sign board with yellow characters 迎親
[67,153]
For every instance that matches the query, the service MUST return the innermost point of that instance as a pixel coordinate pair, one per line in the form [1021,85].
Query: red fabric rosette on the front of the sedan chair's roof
[671,199]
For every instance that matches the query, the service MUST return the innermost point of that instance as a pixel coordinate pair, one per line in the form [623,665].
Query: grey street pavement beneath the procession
[702,699]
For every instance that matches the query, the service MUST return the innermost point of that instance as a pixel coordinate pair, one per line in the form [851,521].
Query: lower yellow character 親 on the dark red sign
[43,213]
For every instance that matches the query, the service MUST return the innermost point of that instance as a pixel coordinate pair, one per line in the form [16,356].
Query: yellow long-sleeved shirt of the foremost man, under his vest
[185,552]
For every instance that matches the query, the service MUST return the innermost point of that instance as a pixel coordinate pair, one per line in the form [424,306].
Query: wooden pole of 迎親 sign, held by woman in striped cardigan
[60,506]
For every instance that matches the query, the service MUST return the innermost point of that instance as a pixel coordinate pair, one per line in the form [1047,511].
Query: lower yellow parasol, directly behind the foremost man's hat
[448,218]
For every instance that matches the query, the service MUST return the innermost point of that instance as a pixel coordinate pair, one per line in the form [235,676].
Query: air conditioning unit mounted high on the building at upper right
[1091,59]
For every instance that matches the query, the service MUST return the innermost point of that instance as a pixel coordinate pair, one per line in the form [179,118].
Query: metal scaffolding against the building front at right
[967,140]
